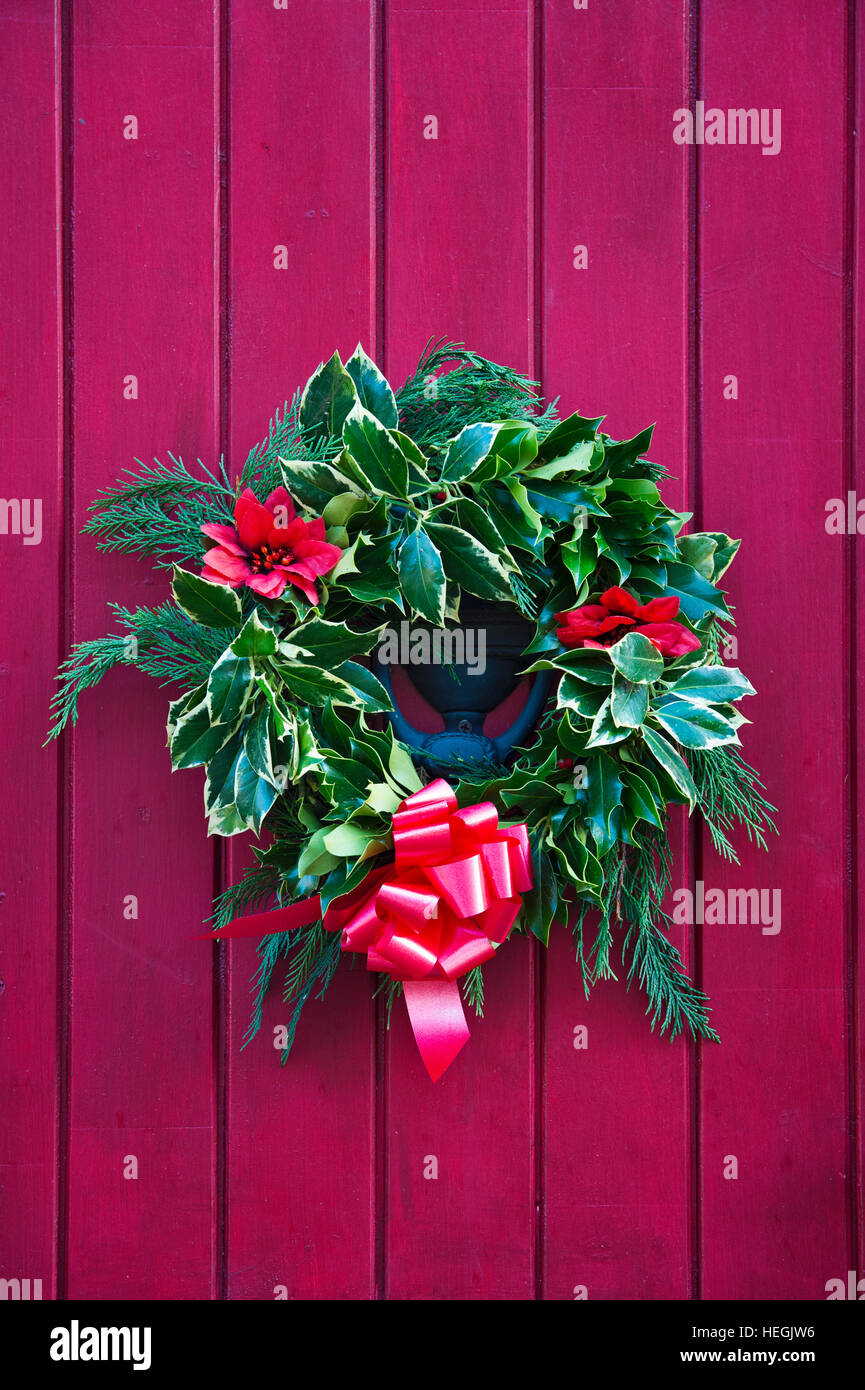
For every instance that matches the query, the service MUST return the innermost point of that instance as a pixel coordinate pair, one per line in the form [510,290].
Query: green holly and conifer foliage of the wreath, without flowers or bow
[461,483]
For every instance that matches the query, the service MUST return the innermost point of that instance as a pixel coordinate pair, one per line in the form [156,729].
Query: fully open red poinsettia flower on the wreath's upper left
[266,555]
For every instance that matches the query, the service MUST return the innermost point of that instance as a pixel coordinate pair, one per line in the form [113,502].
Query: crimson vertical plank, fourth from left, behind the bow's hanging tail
[460,256]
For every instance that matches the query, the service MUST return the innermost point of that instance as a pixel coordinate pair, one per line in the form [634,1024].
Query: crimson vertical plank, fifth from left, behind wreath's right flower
[617,1115]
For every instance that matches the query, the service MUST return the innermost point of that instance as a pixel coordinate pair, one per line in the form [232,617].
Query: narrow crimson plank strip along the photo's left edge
[31,465]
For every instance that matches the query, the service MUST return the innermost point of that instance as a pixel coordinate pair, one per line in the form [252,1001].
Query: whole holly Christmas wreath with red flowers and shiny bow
[371,525]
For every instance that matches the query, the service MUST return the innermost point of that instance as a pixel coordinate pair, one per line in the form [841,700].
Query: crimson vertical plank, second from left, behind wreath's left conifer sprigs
[141,1039]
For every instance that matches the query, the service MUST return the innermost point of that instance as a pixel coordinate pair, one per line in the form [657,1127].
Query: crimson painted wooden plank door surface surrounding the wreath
[432,169]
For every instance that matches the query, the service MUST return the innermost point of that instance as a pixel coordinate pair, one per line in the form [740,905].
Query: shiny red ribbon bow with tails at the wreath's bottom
[440,910]
